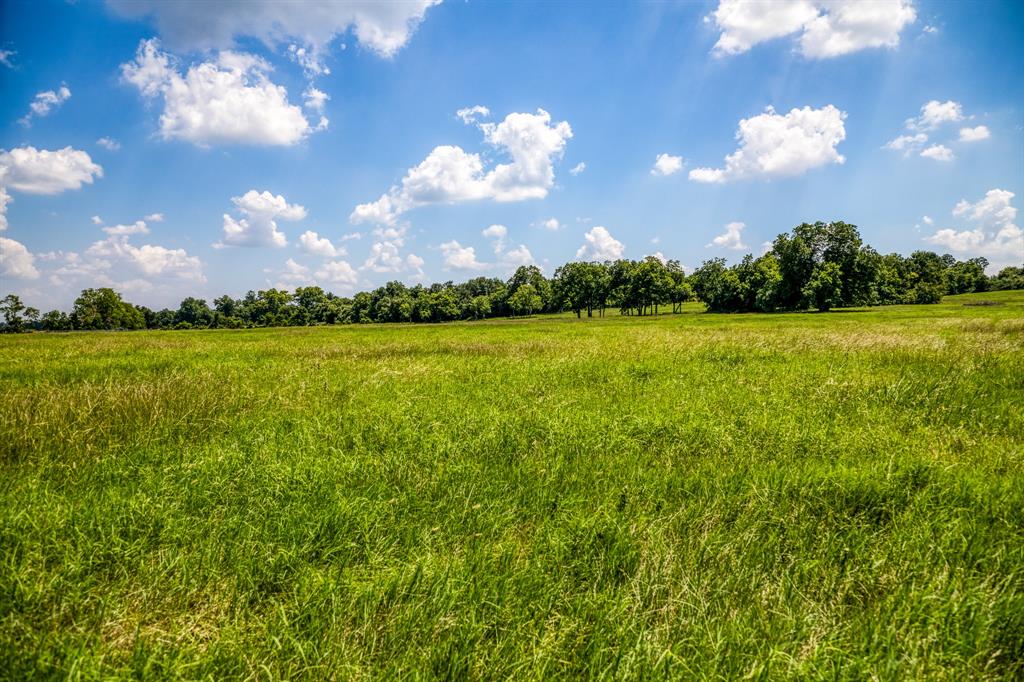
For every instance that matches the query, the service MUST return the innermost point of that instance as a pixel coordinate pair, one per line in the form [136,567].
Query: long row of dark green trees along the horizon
[817,267]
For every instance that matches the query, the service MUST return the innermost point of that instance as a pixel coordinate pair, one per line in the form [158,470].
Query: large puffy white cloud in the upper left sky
[227,102]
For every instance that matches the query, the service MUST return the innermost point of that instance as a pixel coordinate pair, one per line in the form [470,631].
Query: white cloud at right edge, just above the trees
[996,236]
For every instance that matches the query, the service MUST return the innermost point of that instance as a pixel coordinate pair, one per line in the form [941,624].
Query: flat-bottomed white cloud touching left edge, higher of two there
[45,173]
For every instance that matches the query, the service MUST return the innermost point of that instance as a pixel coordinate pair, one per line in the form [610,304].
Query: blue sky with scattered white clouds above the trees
[175,150]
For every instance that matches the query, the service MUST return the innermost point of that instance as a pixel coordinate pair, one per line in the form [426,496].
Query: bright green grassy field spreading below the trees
[789,496]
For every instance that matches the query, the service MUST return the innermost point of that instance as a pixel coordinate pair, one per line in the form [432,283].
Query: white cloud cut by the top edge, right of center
[827,28]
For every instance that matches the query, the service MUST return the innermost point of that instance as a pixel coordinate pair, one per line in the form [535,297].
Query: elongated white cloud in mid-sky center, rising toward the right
[450,175]
